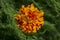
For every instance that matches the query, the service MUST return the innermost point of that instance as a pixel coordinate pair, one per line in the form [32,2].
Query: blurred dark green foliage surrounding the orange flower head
[8,26]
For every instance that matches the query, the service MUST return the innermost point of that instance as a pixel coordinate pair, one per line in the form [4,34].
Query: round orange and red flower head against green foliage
[29,18]
